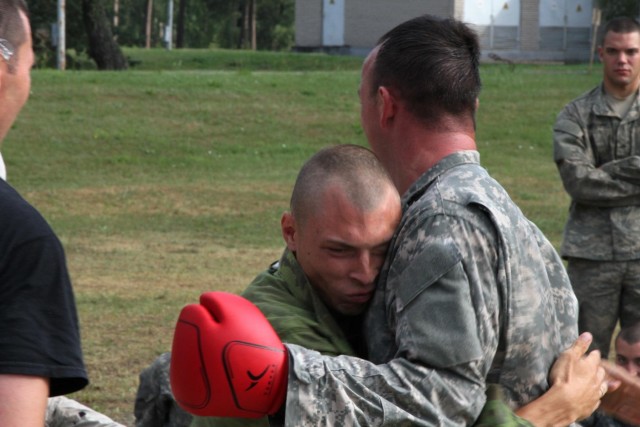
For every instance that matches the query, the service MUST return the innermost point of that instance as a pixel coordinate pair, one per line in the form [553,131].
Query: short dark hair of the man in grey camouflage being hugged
[433,64]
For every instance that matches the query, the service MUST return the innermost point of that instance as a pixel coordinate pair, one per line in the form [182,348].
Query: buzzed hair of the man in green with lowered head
[353,167]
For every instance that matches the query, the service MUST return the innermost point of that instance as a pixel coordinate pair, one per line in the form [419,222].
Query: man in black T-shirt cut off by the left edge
[40,352]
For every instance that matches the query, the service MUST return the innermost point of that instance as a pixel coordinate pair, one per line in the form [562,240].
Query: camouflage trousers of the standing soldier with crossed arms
[607,291]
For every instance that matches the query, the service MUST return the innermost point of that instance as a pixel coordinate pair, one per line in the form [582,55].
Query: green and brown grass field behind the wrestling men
[169,179]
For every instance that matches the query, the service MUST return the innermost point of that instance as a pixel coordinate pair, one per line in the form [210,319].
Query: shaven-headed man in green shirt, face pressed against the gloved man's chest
[335,249]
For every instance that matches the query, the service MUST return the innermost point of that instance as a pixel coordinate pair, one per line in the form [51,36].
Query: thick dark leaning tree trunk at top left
[102,47]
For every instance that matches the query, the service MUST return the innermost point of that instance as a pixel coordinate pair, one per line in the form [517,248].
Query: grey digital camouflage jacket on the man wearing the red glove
[471,293]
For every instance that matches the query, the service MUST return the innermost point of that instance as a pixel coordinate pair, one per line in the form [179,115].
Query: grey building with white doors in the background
[531,30]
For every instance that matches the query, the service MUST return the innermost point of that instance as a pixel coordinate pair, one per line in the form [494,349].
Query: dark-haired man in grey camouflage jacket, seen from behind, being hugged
[471,292]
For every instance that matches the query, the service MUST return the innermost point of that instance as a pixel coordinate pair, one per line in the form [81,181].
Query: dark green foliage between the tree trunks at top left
[202,24]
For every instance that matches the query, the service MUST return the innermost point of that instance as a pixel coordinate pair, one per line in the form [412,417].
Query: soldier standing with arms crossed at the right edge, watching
[597,151]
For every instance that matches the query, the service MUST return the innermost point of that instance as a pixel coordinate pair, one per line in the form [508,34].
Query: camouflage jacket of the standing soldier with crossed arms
[598,157]
